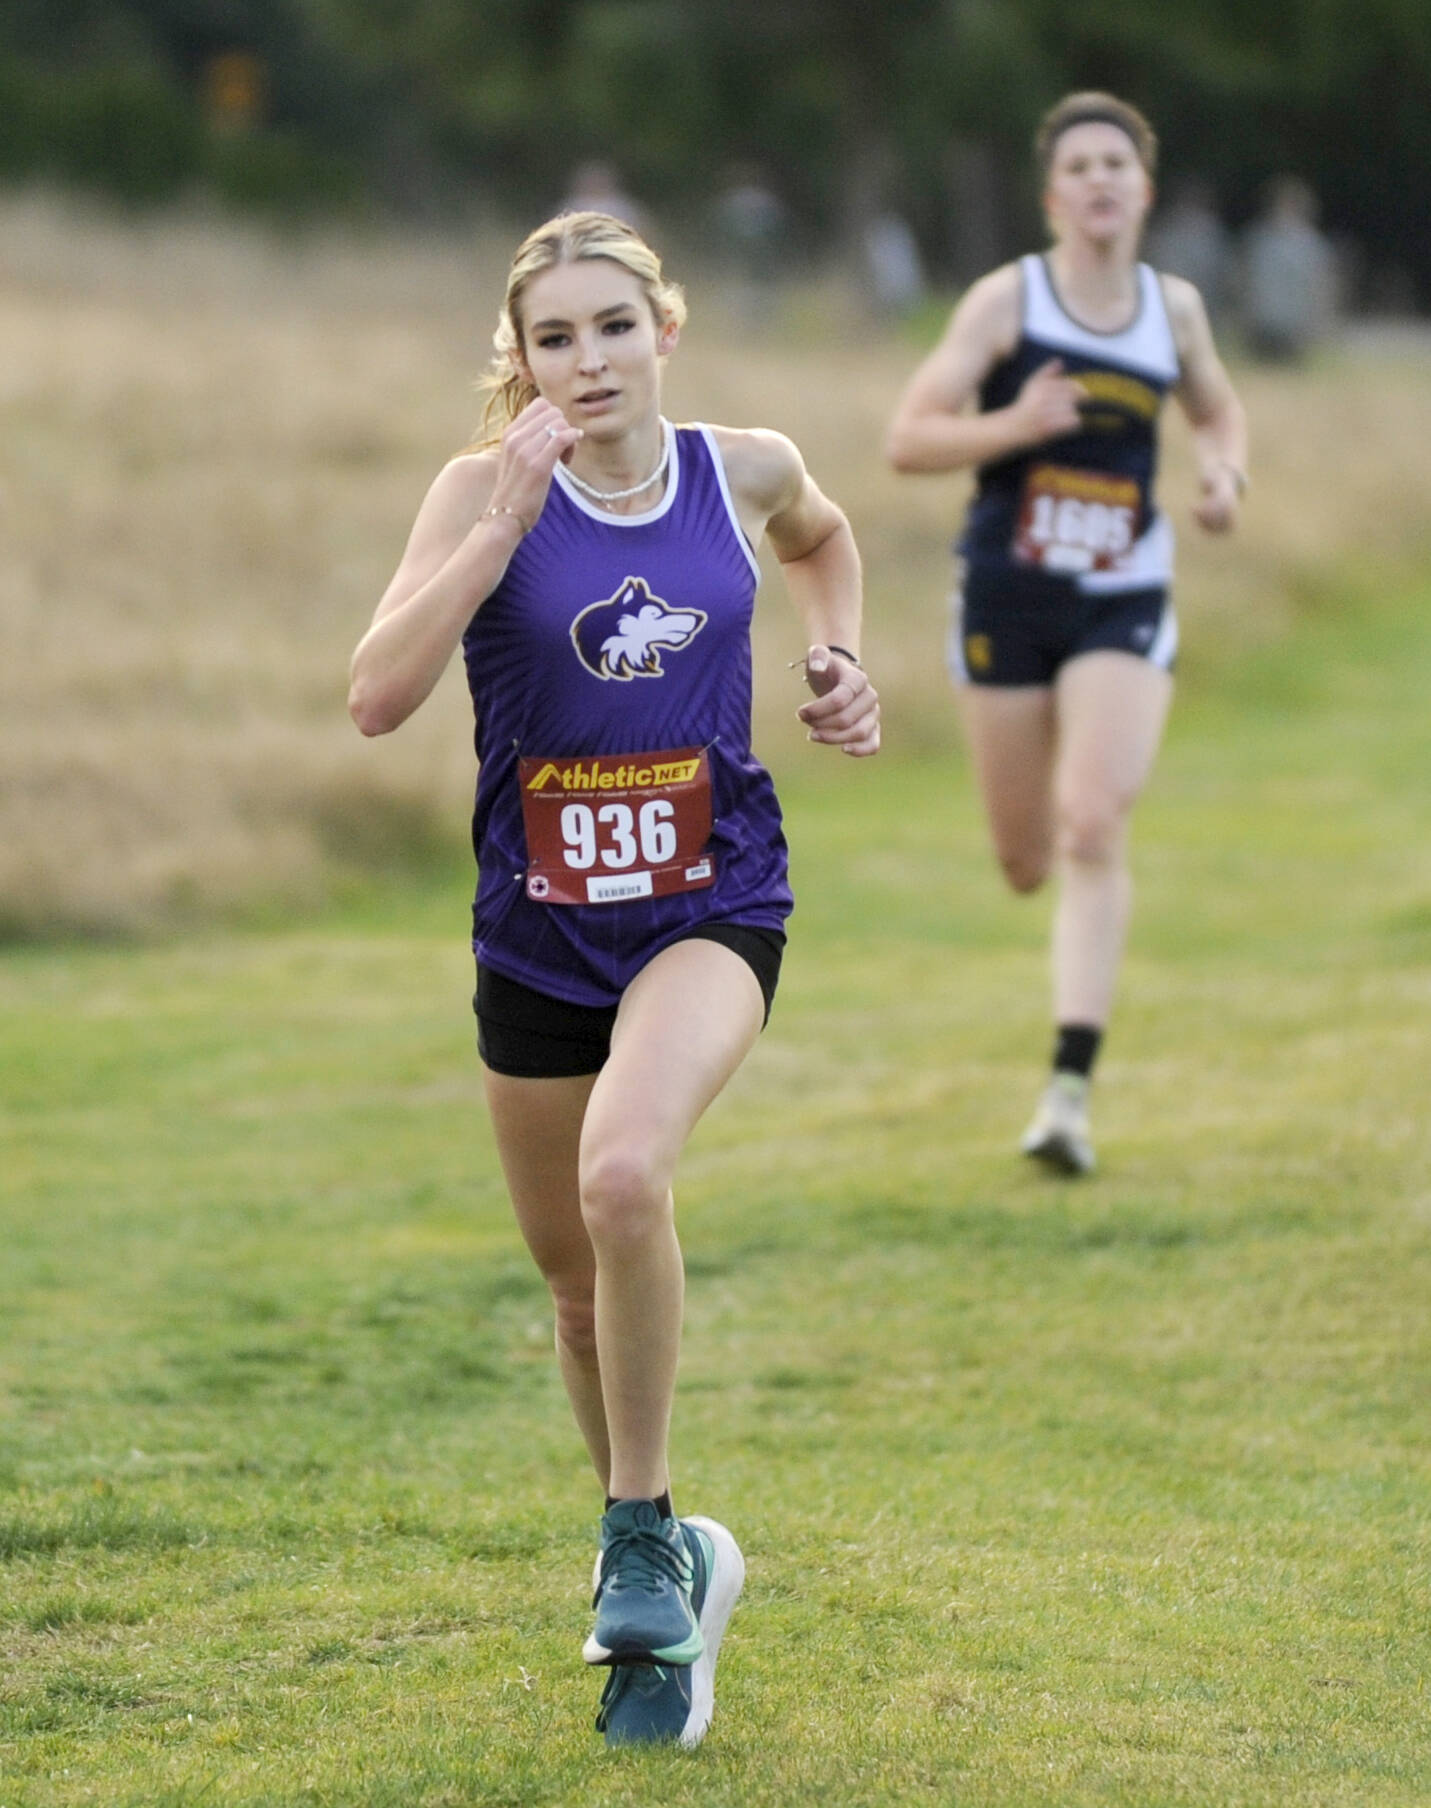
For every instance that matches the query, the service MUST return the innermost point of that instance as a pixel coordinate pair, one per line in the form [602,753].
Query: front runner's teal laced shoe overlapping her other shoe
[643,1599]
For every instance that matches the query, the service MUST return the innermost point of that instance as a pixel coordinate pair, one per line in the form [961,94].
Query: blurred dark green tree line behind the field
[439,108]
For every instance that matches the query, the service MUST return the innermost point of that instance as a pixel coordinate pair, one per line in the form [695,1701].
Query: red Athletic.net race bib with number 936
[611,827]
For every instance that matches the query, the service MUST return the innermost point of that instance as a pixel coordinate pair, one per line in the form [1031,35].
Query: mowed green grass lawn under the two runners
[1112,1493]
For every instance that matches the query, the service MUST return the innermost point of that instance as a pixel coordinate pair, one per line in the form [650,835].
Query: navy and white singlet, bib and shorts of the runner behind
[1065,547]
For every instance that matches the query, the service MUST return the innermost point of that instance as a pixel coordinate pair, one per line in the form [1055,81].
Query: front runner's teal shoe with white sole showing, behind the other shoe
[661,1704]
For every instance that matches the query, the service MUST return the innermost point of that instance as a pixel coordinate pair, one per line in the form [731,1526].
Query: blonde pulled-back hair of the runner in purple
[567,240]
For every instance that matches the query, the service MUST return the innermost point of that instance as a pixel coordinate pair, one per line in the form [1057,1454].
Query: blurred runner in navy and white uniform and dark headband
[1050,382]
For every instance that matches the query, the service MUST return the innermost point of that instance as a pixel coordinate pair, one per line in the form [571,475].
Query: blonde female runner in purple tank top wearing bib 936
[598,569]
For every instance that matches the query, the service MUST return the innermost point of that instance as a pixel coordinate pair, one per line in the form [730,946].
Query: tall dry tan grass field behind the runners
[213,446]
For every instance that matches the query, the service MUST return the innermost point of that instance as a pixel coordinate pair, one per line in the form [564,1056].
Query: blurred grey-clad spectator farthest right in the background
[1289,276]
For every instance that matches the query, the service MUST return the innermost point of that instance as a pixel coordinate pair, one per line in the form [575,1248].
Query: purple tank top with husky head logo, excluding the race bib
[621,636]
